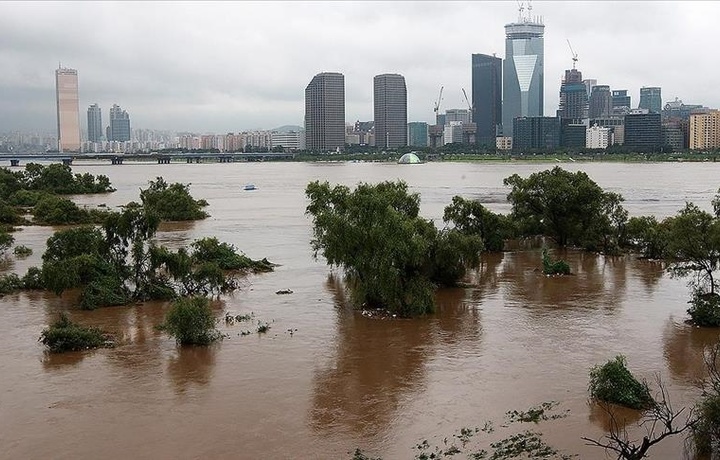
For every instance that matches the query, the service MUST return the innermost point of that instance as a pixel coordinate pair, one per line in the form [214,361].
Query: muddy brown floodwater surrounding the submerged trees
[513,339]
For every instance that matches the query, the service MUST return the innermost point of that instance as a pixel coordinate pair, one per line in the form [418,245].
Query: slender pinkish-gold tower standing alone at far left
[68,110]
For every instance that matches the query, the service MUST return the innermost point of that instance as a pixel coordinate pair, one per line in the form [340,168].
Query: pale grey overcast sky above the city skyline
[231,66]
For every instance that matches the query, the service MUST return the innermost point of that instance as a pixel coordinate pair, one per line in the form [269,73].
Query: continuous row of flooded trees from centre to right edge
[393,258]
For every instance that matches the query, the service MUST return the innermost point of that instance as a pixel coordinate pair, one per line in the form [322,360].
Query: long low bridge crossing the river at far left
[16,159]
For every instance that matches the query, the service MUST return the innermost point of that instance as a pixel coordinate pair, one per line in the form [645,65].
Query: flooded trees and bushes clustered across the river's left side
[115,261]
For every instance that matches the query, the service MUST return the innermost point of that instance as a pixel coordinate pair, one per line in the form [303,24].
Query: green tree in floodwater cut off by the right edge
[693,246]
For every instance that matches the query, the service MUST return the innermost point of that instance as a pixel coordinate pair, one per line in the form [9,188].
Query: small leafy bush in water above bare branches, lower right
[614,383]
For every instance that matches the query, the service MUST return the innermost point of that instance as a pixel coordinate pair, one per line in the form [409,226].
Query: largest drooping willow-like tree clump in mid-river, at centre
[392,257]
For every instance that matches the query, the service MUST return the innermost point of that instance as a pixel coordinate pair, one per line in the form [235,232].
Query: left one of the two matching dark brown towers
[325,112]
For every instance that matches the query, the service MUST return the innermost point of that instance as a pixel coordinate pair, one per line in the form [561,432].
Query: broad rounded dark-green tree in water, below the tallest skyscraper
[568,207]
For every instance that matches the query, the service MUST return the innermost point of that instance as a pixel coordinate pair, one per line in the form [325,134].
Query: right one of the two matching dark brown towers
[390,108]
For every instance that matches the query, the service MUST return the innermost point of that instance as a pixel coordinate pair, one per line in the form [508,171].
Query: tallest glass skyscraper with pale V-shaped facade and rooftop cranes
[523,70]
